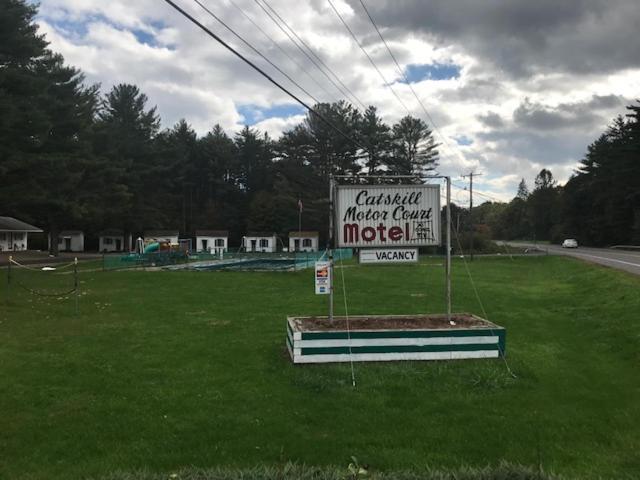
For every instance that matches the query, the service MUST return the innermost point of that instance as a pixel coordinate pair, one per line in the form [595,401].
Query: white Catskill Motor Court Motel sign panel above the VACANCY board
[387,215]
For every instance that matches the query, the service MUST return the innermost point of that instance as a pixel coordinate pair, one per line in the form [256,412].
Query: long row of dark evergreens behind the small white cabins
[73,157]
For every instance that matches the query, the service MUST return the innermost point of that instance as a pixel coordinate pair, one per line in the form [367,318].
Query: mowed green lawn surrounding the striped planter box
[163,370]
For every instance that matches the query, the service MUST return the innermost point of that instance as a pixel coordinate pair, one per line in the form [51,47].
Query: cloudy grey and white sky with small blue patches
[510,87]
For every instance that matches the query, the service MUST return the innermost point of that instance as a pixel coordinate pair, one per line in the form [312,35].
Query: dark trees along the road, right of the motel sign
[599,205]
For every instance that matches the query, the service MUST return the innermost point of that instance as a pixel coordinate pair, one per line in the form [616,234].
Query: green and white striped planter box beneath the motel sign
[305,345]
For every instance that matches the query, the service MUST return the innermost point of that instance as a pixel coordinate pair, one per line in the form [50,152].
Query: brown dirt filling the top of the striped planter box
[408,322]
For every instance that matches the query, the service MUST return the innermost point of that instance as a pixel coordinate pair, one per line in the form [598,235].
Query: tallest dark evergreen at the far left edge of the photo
[46,119]
